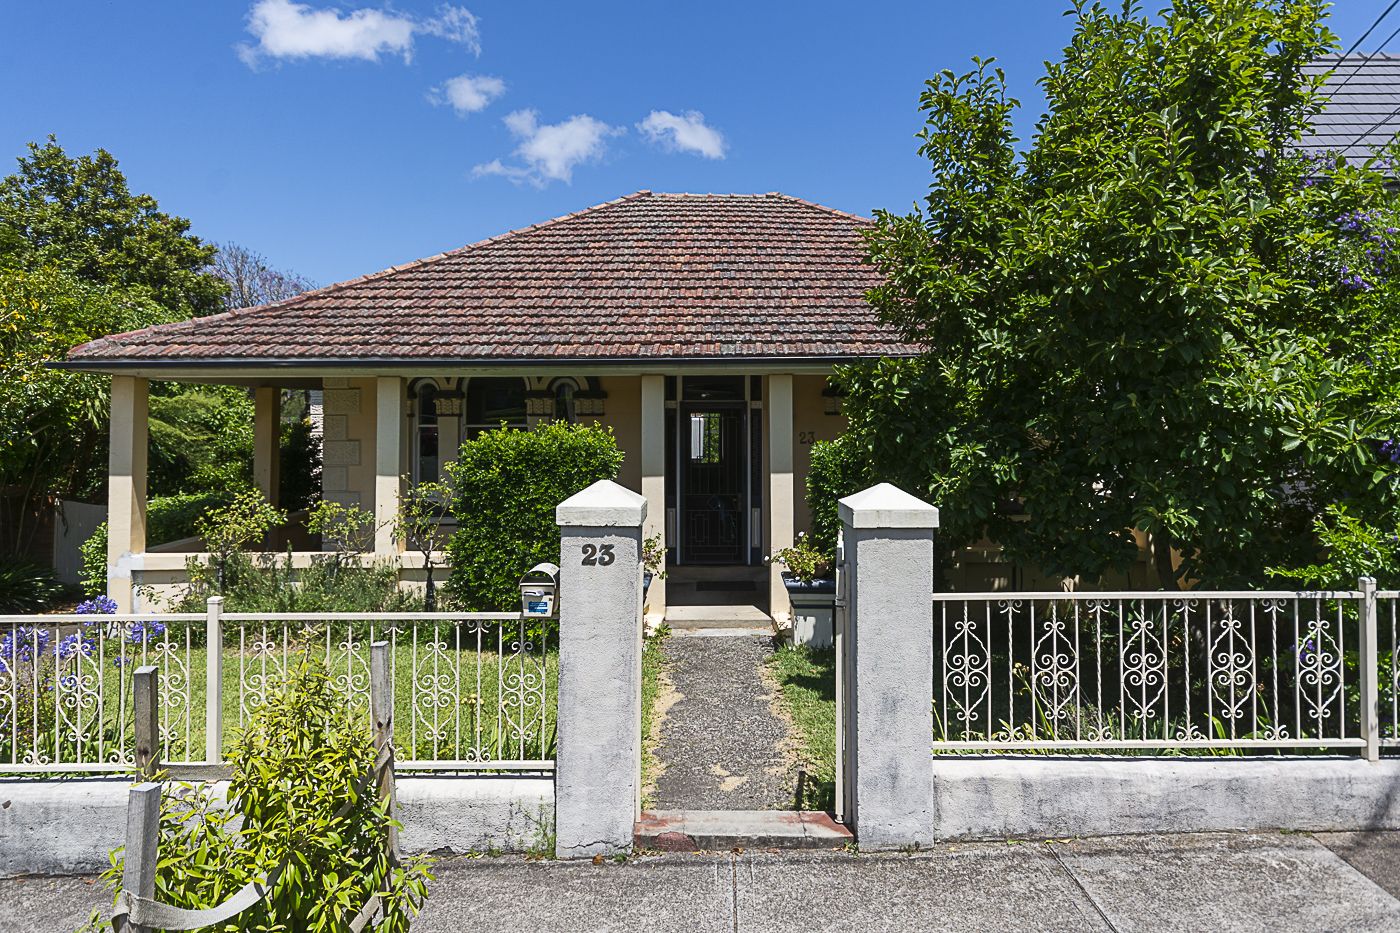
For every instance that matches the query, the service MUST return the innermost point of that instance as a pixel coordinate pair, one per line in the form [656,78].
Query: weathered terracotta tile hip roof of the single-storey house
[646,277]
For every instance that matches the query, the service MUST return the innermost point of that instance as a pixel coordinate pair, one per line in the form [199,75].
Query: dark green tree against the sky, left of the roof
[80,215]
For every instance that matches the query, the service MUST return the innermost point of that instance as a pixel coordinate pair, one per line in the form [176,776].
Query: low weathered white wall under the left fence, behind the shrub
[66,827]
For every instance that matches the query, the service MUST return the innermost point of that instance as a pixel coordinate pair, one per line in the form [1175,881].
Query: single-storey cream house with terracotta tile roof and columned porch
[701,329]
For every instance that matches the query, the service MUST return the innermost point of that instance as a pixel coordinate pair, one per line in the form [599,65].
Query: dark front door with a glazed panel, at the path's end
[713,484]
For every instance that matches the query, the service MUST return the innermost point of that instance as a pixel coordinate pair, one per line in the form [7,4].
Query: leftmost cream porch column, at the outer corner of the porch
[127,485]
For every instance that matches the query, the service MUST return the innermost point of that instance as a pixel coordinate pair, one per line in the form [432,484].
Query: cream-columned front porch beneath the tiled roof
[722,459]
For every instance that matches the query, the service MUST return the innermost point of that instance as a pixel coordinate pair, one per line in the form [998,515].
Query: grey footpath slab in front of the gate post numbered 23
[674,894]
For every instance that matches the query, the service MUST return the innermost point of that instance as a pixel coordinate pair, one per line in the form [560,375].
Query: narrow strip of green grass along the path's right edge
[807,682]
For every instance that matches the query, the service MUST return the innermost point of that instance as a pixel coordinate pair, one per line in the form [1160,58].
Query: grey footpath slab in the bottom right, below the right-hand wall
[1227,883]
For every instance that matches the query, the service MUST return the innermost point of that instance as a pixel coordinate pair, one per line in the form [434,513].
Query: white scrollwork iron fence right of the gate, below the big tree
[1164,672]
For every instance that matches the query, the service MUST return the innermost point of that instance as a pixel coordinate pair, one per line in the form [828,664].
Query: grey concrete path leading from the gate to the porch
[723,746]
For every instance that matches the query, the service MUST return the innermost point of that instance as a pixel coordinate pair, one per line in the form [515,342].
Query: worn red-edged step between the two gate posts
[727,830]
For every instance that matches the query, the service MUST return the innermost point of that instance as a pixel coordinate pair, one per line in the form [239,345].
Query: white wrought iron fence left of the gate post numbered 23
[474,691]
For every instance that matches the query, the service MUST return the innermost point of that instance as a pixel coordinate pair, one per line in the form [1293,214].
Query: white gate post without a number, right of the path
[890,668]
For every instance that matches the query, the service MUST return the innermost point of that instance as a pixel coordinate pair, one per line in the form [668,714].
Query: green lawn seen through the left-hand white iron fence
[456,697]
